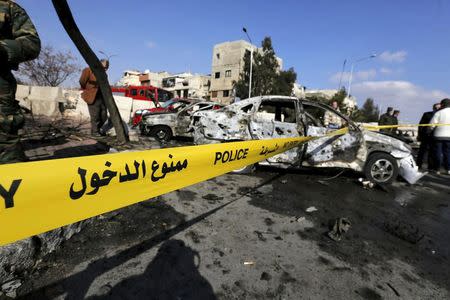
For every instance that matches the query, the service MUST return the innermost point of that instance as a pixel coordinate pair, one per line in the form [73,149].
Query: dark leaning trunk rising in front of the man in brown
[65,16]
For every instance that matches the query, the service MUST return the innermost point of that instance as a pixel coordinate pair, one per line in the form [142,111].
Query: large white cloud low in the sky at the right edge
[410,99]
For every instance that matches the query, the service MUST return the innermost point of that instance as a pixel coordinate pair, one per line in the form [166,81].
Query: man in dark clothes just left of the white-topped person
[425,137]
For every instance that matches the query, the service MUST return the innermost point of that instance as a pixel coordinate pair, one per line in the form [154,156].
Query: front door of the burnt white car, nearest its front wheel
[330,151]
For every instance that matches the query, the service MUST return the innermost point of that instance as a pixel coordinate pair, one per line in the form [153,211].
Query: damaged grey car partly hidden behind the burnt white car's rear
[174,122]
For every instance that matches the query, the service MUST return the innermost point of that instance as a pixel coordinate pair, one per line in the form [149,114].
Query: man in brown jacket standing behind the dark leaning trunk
[94,99]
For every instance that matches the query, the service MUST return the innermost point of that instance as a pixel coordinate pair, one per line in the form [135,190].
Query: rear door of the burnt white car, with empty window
[278,118]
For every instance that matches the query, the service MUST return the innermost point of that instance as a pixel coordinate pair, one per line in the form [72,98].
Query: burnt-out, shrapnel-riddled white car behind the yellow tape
[381,158]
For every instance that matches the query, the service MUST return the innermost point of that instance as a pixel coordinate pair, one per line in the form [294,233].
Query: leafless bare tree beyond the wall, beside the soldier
[51,68]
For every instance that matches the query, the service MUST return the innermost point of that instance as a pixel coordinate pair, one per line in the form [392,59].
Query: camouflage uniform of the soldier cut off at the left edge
[19,42]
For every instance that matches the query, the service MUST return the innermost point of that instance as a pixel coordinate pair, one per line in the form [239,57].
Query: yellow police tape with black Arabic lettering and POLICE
[36,197]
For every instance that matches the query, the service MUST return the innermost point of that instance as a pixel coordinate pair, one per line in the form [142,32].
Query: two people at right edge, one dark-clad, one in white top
[434,137]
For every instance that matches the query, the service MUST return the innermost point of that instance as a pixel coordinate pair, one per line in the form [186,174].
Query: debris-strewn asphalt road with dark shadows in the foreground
[250,237]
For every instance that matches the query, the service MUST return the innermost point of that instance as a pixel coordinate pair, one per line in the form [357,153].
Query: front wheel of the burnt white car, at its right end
[381,168]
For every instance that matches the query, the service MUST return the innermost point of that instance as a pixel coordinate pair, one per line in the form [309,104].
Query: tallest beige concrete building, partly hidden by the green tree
[227,65]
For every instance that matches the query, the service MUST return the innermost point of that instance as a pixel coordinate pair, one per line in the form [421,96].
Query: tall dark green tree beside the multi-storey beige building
[266,77]
